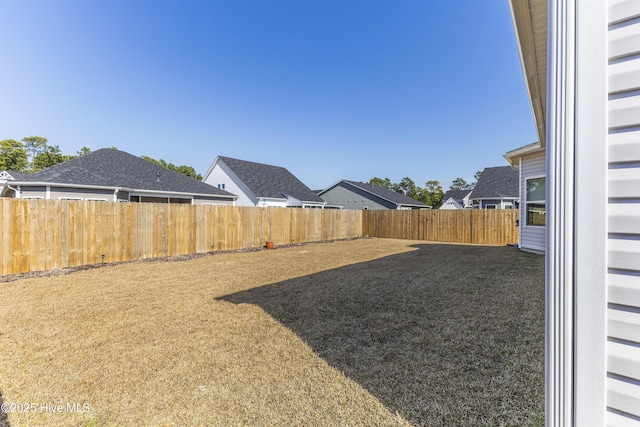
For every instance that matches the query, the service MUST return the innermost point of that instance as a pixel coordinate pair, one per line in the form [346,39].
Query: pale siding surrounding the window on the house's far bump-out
[533,165]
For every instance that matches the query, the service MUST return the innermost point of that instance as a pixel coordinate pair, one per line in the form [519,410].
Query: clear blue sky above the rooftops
[328,89]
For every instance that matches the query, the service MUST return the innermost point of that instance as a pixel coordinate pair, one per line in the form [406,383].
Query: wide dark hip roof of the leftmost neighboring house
[118,169]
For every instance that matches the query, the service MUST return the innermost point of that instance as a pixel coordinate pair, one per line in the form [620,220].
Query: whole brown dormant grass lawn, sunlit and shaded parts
[364,332]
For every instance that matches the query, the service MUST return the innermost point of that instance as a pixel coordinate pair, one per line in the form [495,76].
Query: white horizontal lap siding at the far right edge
[623,279]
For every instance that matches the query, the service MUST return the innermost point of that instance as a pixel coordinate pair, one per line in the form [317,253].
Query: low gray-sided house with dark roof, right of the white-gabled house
[358,195]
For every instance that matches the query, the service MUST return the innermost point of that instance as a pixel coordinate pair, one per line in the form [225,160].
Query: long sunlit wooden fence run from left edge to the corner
[48,234]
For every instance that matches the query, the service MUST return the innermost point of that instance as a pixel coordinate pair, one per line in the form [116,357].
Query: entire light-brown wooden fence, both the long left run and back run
[48,234]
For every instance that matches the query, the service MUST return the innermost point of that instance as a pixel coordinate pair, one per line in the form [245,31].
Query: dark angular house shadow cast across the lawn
[443,335]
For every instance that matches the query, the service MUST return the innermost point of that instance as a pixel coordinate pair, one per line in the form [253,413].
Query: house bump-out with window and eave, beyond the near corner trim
[530,163]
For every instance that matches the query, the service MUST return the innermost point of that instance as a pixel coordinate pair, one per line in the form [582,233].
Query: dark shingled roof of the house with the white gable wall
[270,181]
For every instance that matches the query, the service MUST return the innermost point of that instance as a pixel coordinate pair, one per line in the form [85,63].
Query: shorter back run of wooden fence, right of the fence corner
[478,226]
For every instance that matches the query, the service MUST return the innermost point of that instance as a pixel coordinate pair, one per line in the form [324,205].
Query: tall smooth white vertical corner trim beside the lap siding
[576,214]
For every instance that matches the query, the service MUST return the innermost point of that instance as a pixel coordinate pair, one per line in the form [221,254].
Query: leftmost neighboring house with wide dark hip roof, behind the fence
[111,175]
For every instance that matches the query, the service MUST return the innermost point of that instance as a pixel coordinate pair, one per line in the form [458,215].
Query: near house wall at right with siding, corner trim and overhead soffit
[581,59]
